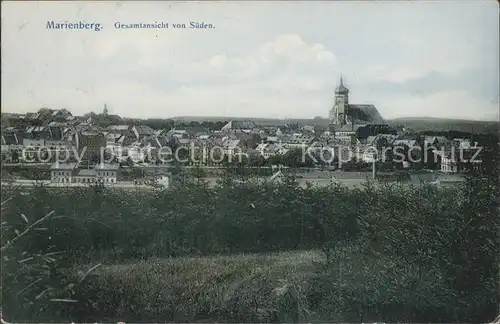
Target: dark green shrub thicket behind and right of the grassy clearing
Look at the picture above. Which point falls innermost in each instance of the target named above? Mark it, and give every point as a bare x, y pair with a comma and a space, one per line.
394, 253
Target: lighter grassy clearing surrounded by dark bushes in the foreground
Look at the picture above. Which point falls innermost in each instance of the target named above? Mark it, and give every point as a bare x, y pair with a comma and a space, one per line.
249, 288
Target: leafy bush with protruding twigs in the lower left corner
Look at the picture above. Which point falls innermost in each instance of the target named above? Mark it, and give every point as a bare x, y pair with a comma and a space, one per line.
33, 282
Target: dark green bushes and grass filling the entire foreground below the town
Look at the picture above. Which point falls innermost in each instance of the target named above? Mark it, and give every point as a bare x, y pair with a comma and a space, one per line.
383, 253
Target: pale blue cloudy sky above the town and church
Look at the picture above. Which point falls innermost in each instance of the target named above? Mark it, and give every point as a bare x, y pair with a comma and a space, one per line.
263, 59
